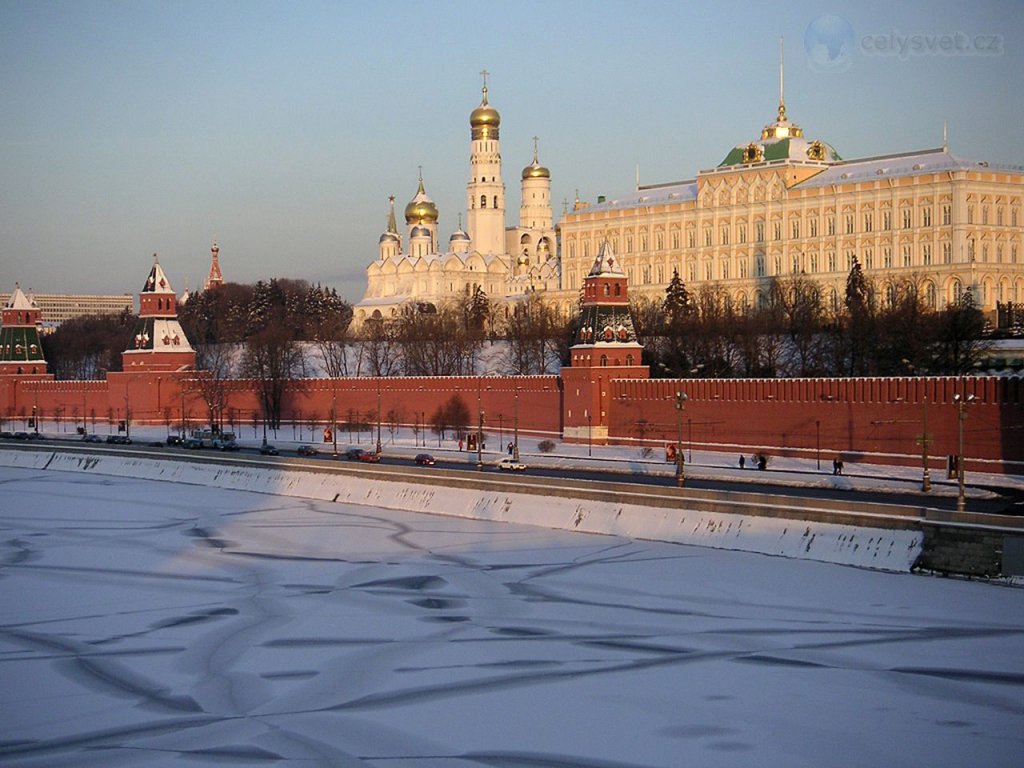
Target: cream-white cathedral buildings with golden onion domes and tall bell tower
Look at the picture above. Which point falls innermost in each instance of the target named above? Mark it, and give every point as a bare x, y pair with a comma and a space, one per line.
507, 264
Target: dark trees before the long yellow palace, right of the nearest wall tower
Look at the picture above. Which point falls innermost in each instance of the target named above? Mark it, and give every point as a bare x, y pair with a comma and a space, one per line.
797, 333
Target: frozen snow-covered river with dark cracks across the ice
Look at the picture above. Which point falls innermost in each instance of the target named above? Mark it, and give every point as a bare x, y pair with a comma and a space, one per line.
149, 624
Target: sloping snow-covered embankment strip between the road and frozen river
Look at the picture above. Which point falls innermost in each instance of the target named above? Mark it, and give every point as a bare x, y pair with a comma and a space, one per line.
847, 545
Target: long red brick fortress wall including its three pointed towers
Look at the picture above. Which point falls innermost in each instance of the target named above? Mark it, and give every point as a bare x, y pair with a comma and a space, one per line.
604, 397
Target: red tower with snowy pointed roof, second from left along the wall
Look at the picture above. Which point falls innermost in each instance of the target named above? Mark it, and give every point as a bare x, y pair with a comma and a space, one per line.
159, 344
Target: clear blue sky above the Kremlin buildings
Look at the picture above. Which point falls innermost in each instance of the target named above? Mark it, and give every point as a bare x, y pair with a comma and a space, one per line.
280, 129
